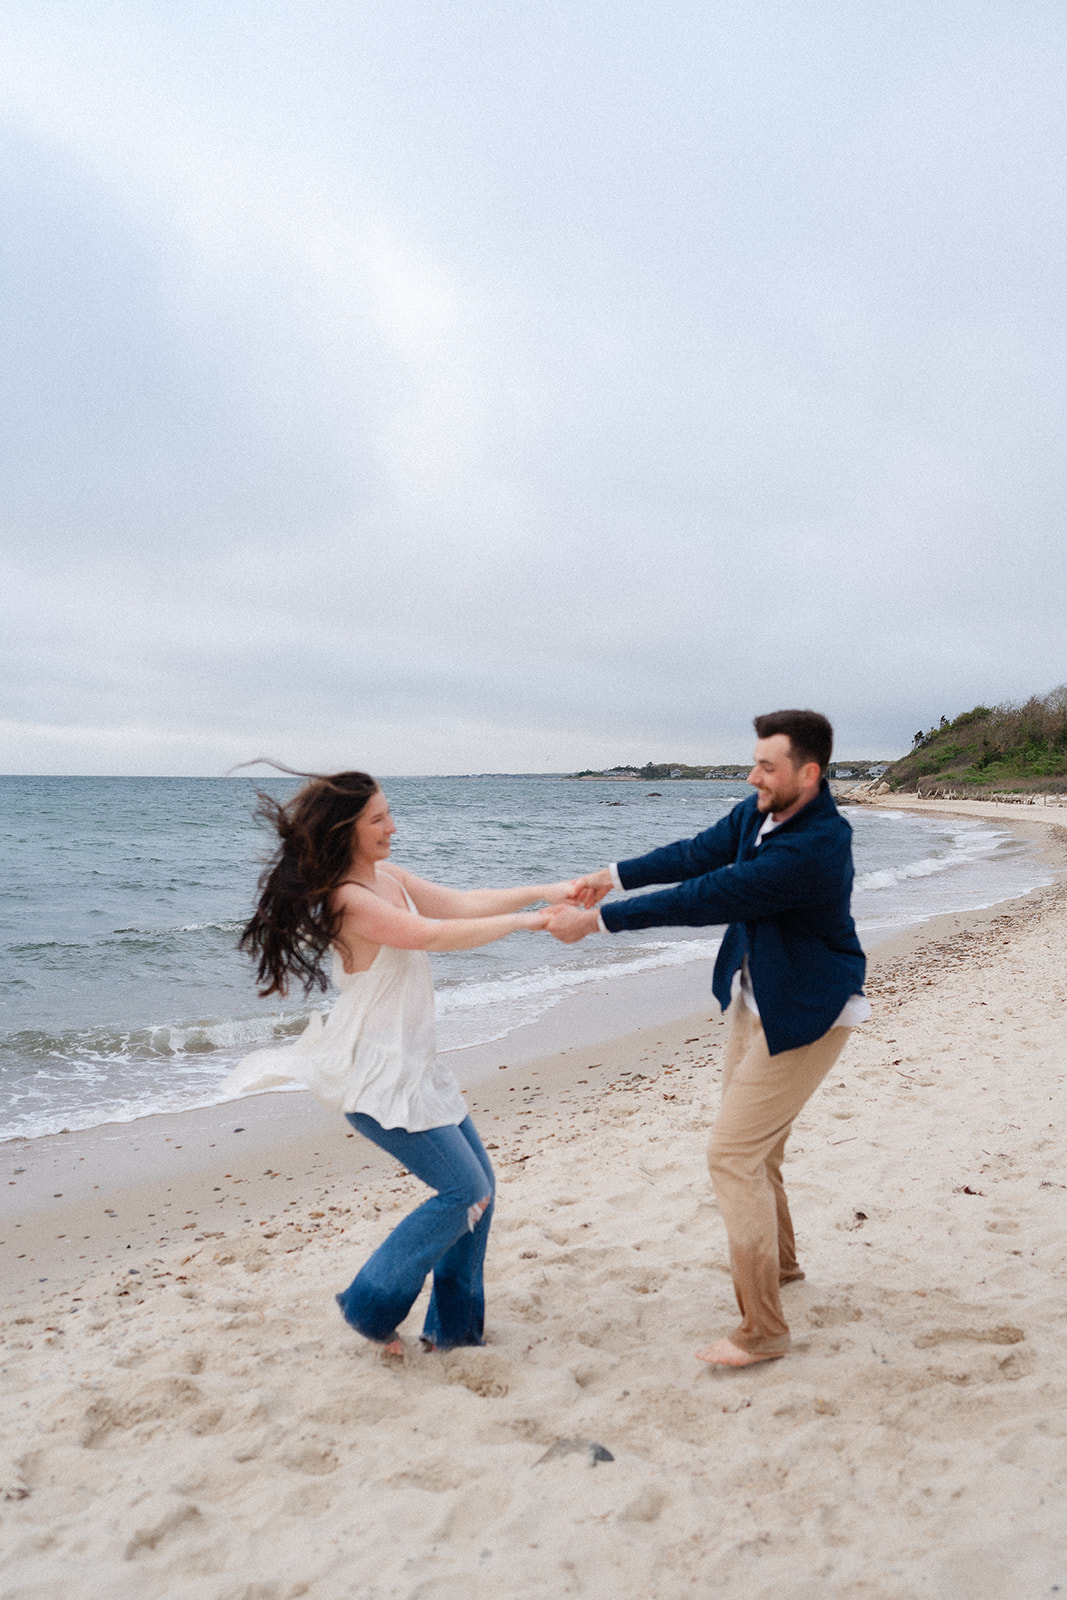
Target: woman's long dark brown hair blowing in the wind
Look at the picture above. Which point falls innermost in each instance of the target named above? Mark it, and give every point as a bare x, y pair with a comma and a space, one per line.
294, 927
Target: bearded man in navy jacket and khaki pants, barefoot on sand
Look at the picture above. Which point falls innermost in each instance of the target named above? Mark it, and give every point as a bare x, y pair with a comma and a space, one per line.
789, 974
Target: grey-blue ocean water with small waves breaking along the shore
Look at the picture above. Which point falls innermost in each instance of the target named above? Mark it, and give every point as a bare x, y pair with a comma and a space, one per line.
122, 991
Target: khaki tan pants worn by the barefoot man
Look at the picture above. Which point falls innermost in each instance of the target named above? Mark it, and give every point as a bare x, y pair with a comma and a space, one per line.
762, 1095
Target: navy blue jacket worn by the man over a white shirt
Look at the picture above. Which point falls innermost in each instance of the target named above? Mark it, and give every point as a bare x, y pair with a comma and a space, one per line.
786, 902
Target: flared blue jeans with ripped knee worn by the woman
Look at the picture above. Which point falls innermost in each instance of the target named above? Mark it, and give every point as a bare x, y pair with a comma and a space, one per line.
446, 1236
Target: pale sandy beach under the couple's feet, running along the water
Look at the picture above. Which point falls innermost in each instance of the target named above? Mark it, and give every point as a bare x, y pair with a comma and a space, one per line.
186, 1415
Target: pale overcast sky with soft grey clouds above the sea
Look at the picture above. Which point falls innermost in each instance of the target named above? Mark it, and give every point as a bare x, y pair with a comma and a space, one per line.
519, 385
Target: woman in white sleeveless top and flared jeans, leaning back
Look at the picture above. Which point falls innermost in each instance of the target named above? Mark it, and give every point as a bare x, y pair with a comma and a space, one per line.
375, 1057
